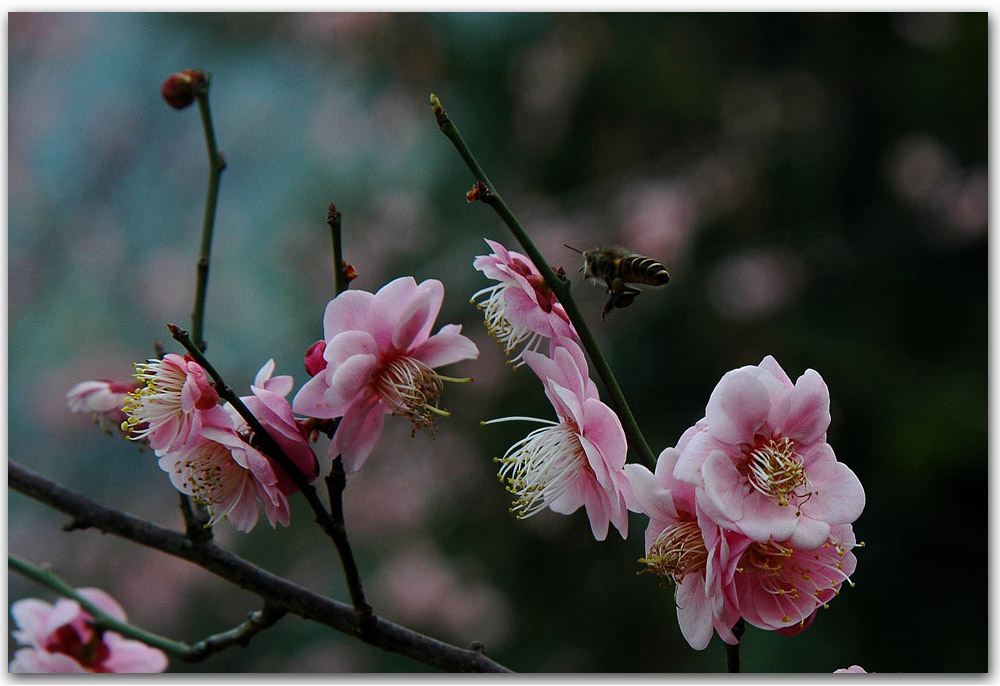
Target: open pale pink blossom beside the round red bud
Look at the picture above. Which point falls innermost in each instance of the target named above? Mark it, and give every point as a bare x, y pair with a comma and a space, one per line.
380, 360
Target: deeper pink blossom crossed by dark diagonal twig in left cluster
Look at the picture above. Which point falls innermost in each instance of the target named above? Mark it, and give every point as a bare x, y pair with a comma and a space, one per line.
269, 406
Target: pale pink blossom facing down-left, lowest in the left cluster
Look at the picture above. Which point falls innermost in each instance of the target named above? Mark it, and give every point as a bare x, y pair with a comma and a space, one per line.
217, 467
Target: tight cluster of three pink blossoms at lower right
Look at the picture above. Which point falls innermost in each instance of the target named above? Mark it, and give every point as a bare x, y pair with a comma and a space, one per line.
750, 514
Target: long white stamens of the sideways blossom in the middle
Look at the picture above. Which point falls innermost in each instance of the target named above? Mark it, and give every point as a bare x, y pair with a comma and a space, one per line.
541, 467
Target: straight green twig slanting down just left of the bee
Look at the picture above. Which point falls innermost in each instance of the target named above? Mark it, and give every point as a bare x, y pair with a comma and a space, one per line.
559, 286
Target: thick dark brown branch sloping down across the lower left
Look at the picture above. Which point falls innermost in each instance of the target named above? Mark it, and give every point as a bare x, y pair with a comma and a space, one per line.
277, 591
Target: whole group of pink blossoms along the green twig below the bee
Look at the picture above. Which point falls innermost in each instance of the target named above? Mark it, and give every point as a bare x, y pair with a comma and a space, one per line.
749, 515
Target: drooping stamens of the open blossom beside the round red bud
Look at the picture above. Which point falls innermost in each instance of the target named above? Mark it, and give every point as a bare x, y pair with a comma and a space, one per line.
413, 389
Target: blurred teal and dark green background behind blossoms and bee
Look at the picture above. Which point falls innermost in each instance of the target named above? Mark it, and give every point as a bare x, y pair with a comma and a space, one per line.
816, 184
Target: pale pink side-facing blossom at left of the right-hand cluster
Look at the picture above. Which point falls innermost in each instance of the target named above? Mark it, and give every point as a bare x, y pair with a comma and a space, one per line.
688, 549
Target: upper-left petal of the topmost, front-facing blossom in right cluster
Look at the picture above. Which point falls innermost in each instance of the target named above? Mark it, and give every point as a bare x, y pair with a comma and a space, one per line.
738, 407
